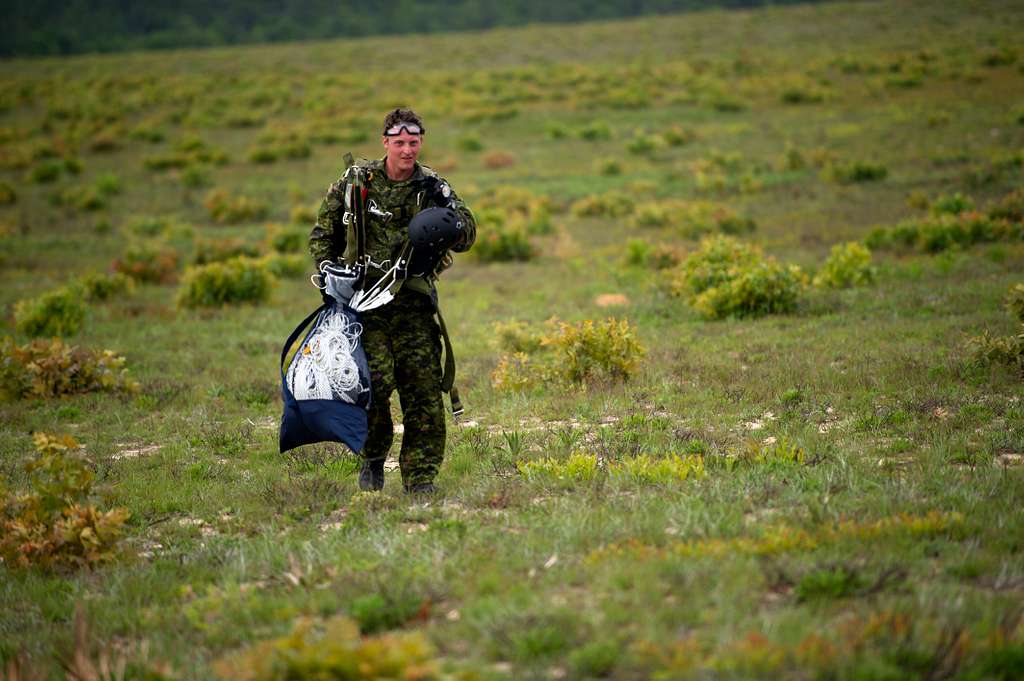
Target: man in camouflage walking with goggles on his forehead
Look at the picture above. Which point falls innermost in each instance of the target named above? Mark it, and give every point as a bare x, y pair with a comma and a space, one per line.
403, 339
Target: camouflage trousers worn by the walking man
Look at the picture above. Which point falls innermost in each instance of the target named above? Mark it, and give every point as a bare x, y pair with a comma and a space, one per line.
403, 346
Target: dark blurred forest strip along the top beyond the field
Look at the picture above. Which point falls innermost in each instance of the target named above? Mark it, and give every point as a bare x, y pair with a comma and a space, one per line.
71, 27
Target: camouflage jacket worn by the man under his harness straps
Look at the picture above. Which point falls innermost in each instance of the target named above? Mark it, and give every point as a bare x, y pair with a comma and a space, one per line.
383, 237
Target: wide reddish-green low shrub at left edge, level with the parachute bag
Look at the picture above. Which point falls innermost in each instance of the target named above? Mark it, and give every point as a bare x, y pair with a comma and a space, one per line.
51, 369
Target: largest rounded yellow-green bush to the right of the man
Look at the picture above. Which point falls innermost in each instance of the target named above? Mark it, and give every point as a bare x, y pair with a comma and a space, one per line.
727, 278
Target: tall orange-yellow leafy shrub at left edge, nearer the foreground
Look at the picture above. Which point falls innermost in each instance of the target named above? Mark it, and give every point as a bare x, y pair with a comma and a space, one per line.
57, 525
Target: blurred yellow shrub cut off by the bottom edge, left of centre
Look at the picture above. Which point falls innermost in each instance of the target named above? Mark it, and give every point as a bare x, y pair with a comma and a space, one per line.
334, 650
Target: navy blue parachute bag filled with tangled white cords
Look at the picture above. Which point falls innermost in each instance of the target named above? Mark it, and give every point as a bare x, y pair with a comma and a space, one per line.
326, 388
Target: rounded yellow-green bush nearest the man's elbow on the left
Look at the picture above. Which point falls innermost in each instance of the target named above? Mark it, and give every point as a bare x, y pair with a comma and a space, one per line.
236, 281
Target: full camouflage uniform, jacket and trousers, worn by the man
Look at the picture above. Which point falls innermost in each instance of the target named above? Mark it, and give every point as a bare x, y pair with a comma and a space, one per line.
402, 339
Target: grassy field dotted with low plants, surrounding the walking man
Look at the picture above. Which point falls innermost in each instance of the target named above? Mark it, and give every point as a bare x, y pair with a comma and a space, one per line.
831, 492
